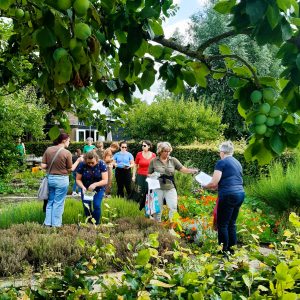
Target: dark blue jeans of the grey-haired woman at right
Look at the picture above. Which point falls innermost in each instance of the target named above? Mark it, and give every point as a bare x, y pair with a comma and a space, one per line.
227, 213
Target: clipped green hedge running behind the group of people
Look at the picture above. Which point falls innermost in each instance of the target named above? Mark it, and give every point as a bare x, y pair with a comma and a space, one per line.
203, 156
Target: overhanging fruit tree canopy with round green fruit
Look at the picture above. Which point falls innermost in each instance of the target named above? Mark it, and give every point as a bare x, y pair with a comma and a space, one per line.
107, 46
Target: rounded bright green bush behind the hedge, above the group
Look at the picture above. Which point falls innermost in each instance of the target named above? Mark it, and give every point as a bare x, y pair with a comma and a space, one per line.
179, 122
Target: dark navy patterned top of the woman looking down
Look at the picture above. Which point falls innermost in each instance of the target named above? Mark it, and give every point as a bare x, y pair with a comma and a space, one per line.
92, 174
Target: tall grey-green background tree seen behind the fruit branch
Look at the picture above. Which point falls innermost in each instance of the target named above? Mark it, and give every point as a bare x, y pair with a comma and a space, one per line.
207, 24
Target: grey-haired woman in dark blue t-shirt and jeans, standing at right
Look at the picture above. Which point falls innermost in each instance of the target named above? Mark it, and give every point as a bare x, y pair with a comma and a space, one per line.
228, 179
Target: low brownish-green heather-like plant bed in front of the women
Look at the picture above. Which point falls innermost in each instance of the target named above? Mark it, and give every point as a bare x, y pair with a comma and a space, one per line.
30, 246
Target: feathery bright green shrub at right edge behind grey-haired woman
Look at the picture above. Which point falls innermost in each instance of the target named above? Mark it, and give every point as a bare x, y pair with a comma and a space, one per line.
281, 189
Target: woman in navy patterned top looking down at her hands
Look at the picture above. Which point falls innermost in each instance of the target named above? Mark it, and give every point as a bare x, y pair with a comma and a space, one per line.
92, 176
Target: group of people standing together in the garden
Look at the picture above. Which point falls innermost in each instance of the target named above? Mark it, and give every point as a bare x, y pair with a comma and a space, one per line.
94, 170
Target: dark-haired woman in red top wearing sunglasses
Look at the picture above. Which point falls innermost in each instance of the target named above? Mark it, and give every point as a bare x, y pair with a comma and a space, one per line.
140, 170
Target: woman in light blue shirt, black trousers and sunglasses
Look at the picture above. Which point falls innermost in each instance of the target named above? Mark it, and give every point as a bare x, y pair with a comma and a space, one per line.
123, 161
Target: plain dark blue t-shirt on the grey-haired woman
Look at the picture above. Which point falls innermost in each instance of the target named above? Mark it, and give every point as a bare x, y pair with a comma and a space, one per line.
231, 181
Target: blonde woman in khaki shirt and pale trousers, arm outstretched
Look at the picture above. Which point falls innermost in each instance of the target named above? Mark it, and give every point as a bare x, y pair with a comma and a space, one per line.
166, 165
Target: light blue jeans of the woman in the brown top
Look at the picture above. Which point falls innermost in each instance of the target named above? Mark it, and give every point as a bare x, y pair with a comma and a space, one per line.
58, 188
